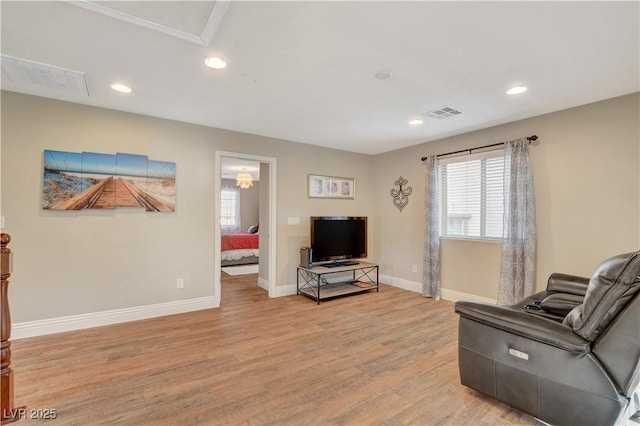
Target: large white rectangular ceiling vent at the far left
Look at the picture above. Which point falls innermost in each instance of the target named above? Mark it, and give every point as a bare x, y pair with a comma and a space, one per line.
18, 69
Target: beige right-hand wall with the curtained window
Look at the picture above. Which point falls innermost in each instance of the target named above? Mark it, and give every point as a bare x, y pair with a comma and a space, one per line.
587, 185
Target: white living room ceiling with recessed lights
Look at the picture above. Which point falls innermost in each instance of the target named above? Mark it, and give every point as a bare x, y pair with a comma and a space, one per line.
304, 71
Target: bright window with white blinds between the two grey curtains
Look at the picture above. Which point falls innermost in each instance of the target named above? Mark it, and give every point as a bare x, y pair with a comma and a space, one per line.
471, 191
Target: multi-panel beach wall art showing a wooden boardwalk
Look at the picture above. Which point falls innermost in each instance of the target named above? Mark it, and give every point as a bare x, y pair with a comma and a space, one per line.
89, 180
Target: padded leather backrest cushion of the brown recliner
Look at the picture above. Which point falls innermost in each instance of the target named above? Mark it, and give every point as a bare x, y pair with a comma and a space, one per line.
613, 284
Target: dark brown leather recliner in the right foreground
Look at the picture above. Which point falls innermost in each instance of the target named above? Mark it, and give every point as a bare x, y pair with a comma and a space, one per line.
569, 355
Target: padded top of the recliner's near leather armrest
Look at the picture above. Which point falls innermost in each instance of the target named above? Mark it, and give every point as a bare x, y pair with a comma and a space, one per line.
525, 324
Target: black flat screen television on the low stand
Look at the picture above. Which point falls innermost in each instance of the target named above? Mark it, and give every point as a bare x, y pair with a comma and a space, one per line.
335, 239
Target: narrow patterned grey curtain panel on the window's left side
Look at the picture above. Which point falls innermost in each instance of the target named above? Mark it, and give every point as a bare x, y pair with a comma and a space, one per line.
431, 252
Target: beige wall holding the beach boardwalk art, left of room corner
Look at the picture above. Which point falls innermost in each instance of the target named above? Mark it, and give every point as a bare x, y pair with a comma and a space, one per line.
68, 263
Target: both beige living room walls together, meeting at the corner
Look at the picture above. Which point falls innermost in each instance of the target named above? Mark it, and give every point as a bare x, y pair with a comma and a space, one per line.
65, 263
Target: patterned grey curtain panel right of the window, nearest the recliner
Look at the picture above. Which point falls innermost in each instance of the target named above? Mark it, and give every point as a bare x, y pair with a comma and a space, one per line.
519, 242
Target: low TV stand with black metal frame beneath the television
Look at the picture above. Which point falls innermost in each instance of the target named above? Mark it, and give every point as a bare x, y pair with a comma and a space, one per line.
313, 282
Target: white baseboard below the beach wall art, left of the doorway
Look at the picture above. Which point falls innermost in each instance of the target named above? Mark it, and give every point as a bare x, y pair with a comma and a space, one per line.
96, 319
